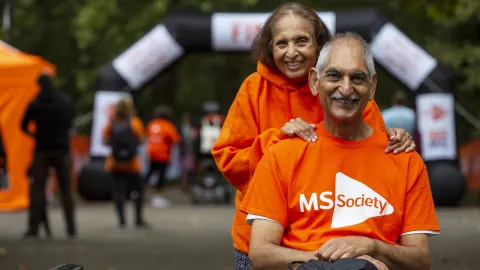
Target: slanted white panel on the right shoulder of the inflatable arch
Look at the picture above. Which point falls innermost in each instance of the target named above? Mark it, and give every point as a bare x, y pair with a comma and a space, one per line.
401, 56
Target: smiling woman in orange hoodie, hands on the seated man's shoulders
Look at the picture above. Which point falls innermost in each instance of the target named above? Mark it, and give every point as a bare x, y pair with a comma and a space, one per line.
275, 103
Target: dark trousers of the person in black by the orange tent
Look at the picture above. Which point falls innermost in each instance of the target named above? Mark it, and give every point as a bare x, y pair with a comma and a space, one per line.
60, 162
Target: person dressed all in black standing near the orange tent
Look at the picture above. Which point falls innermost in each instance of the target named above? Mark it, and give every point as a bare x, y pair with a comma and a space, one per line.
53, 115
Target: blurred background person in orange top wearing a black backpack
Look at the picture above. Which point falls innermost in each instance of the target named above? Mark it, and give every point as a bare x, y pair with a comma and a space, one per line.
125, 174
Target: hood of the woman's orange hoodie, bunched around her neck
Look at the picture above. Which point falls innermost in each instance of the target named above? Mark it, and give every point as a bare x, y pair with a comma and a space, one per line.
279, 80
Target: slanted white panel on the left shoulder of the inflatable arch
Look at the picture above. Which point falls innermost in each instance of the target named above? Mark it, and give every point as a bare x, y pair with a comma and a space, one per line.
147, 57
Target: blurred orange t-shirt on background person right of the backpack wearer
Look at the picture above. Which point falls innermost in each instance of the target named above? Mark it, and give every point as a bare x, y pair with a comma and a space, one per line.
161, 135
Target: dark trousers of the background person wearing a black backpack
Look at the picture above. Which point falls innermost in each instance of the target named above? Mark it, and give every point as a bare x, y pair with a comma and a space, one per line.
123, 183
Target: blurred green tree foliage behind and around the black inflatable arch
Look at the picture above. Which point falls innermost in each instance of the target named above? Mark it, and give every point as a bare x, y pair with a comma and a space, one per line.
79, 36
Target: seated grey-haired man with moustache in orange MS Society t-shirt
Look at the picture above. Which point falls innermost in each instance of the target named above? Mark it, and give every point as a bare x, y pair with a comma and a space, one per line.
341, 197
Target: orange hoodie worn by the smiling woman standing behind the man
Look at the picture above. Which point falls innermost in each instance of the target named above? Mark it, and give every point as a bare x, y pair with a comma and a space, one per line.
264, 103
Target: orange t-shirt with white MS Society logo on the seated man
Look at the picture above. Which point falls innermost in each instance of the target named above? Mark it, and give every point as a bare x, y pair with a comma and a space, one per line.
336, 188
